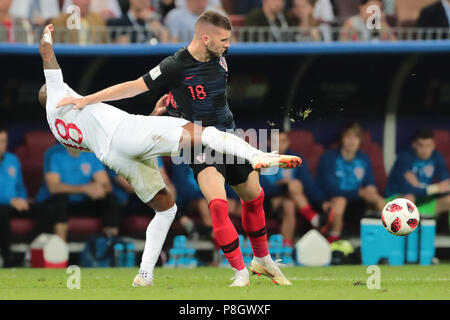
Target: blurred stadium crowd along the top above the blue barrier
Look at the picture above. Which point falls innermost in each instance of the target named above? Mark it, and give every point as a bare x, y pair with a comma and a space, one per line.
154, 21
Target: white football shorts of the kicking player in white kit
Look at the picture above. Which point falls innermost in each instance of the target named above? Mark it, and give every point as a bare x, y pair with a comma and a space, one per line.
134, 148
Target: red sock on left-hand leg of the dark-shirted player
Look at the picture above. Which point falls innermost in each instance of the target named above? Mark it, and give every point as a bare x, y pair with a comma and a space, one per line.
225, 233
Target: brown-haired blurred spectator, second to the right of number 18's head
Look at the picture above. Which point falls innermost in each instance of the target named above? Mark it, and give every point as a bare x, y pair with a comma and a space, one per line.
302, 17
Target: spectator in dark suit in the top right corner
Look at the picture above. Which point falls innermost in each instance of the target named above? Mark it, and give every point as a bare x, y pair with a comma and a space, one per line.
436, 15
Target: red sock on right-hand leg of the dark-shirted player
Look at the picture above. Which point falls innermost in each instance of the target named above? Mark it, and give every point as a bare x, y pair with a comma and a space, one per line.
254, 224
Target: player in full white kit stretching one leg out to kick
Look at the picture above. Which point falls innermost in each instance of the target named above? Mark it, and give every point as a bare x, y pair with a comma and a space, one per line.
129, 144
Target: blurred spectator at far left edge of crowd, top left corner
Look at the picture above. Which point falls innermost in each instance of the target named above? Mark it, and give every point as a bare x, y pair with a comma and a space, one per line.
13, 29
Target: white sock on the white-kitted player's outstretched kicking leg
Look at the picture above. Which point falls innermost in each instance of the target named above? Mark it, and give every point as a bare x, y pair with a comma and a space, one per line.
228, 143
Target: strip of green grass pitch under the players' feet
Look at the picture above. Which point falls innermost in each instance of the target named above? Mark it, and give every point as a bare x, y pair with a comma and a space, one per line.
211, 283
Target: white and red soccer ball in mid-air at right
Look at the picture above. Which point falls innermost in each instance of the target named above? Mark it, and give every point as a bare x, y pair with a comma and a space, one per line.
400, 217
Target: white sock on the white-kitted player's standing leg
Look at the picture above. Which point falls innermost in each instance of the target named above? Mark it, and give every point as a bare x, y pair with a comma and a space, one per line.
155, 236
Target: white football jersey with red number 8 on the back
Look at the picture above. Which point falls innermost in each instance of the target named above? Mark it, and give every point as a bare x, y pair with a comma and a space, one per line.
89, 129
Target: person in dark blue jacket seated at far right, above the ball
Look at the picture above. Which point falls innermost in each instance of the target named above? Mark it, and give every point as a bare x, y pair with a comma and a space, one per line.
420, 175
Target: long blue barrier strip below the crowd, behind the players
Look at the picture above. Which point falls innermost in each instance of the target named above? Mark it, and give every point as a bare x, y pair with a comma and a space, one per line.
242, 49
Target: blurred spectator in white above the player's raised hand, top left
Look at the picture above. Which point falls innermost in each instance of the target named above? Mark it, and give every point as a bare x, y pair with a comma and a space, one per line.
37, 12
